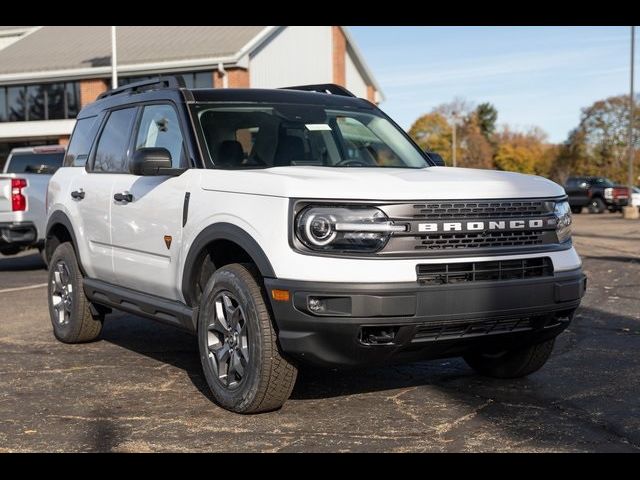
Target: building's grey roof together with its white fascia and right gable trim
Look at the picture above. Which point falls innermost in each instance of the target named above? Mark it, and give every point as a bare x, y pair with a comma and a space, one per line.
62, 52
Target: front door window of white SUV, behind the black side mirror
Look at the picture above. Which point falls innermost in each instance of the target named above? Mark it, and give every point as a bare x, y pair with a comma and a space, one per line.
159, 127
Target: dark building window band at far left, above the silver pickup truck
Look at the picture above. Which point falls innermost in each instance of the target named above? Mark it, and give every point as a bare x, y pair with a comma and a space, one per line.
48, 101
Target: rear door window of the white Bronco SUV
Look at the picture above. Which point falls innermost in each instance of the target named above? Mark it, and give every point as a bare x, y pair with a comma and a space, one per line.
111, 152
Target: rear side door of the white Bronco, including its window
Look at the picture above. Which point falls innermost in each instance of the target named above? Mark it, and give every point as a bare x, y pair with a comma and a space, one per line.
92, 192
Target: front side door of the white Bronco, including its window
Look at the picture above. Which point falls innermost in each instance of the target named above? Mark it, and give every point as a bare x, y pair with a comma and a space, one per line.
146, 230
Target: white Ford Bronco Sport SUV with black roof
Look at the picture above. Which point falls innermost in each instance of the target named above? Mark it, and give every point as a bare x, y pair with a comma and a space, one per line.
300, 226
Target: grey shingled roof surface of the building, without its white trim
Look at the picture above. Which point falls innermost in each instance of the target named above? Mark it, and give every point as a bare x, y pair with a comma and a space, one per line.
83, 47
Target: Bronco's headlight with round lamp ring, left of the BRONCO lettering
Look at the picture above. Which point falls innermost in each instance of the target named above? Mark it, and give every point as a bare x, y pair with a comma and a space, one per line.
357, 229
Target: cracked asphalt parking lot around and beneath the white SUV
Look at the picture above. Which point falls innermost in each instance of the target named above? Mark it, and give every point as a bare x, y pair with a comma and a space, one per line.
140, 387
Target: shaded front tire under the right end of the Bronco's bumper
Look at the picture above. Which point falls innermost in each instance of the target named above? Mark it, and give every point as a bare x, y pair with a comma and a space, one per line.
512, 363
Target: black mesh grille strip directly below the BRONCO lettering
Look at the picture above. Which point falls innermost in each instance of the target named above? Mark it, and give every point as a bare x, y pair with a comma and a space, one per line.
451, 241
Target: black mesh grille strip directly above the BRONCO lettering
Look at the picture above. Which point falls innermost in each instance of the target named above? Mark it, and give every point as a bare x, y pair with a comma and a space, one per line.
482, 209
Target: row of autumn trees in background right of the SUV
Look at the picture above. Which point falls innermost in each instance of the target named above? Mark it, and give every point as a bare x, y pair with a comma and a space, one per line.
597, 146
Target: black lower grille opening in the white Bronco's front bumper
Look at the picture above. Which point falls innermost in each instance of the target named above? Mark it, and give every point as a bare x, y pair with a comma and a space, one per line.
445, 273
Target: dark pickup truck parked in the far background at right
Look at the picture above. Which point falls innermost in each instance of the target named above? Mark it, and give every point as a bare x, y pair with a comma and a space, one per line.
596, 193
